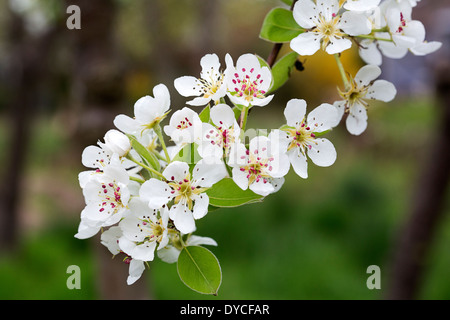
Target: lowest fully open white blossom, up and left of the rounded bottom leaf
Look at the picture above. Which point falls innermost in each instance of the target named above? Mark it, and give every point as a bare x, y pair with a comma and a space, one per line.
143, 230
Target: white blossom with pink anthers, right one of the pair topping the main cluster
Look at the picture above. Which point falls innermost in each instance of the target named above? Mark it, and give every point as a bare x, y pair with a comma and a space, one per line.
248, 82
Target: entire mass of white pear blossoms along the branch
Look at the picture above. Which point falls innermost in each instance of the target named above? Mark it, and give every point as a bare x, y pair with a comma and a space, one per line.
145, 197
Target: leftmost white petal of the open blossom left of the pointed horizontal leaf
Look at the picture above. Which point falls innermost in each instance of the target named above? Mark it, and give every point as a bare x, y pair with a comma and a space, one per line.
156, 192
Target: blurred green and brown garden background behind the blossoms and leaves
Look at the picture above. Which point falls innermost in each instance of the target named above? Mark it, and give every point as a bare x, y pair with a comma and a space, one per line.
384, 202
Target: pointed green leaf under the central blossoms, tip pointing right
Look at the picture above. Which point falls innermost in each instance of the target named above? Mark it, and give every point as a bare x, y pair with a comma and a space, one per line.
226, 194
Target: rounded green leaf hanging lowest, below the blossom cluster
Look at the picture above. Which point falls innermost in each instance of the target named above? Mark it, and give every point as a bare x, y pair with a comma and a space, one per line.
199, 269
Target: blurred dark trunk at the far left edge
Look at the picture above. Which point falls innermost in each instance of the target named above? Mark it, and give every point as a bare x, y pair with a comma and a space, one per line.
29, 60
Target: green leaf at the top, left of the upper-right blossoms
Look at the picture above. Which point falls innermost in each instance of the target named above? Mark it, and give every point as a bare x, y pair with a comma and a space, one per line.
280, 26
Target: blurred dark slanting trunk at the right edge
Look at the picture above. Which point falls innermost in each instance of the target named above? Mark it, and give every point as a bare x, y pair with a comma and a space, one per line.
410, 260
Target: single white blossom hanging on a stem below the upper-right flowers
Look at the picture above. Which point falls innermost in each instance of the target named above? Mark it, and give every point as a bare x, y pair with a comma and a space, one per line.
363, 88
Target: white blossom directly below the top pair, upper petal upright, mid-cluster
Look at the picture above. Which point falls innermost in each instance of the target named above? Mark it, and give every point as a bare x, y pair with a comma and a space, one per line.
218, 139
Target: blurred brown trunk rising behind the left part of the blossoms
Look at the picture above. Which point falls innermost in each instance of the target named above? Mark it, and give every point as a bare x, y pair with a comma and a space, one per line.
97, 95
